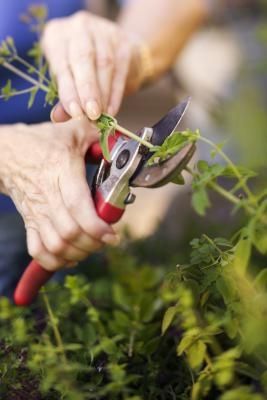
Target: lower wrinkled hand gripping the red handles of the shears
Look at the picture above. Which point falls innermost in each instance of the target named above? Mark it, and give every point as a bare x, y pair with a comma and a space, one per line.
44, 173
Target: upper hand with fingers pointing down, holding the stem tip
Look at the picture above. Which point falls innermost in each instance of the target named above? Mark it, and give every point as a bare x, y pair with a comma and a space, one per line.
94, 62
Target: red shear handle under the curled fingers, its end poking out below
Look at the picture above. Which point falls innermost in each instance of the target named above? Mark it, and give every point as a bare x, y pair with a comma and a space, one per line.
35, 276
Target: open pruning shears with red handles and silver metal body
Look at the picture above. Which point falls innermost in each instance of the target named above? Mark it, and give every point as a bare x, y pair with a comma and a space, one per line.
113, 181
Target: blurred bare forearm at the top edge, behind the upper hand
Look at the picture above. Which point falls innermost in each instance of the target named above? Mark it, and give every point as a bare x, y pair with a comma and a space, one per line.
164, 25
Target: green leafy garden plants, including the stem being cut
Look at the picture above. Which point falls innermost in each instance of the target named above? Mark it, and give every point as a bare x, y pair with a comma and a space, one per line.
135, 325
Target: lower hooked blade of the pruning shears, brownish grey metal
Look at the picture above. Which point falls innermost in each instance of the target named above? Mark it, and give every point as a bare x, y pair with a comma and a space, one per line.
159, 175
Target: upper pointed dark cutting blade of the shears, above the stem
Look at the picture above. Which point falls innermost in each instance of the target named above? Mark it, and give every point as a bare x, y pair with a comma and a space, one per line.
168, 124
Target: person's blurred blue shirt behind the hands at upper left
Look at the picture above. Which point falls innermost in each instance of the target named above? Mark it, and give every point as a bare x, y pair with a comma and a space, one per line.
16, 108
